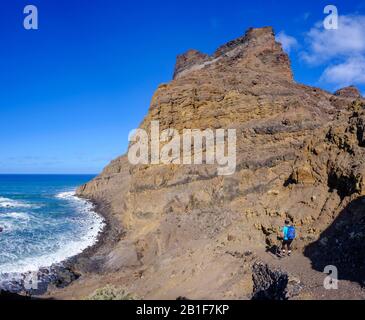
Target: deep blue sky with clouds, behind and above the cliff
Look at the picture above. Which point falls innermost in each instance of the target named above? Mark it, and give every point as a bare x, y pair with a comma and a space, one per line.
72, 90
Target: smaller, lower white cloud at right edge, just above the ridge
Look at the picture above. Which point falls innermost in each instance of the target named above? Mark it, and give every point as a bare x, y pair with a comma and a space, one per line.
351, 71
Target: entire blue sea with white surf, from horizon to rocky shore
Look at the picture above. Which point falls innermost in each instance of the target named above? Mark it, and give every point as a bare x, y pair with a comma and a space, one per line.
44, 223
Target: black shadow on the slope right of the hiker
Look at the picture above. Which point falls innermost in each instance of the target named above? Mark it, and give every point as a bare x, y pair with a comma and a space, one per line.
342, 244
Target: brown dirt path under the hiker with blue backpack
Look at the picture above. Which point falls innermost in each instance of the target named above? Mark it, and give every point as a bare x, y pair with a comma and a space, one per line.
300, 267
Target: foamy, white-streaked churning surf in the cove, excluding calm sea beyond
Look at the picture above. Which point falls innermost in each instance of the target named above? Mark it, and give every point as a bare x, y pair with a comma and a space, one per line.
38, 237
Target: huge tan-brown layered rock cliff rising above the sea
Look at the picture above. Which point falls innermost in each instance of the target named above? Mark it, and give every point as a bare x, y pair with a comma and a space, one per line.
300, 154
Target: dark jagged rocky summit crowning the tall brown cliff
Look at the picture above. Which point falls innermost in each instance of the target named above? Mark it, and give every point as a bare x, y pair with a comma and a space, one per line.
256, 49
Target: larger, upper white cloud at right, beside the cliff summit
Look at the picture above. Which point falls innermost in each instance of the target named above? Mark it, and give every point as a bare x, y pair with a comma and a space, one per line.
344, 42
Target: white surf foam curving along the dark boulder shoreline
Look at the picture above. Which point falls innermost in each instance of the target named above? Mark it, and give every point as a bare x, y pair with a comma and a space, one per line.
67, 248
